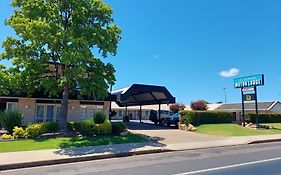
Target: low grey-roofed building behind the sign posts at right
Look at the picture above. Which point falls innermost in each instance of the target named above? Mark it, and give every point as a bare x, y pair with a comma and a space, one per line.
263, 107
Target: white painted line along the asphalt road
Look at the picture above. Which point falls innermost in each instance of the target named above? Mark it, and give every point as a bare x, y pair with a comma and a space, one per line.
230, 166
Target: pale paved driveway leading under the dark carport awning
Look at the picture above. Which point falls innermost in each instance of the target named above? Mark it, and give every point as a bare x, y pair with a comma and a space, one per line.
169, 135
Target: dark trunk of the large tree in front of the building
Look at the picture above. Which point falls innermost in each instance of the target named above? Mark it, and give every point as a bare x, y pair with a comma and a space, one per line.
64, 109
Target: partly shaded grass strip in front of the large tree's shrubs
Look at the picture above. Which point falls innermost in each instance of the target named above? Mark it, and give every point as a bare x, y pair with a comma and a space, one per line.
67, 142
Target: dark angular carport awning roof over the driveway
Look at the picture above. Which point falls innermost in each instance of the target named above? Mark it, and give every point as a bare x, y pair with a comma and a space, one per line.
139, 94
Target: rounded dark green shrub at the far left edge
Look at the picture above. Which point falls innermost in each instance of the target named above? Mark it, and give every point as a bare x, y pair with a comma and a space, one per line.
10, 119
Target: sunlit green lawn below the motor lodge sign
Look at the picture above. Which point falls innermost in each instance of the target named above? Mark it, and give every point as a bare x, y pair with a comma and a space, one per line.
236, 130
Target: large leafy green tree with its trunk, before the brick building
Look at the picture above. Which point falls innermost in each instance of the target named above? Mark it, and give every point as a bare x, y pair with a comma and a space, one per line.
57, 48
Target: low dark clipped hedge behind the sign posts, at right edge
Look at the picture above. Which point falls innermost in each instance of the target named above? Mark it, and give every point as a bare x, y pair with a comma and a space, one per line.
263, 118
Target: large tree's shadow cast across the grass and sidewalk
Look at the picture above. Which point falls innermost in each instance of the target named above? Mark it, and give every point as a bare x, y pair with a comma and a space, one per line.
104, 144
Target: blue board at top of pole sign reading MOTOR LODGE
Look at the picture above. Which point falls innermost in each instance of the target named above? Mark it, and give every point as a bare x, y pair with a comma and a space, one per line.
251, 81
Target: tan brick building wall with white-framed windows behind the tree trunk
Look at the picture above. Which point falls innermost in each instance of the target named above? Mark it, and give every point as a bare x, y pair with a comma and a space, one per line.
39, 109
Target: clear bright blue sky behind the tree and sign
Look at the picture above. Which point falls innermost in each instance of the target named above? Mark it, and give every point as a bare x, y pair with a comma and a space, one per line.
186, 44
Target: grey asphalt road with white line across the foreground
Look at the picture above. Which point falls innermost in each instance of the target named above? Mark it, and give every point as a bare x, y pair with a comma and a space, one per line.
256, 159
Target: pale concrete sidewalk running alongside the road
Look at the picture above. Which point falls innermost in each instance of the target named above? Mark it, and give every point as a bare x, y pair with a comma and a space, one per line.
23, 159
